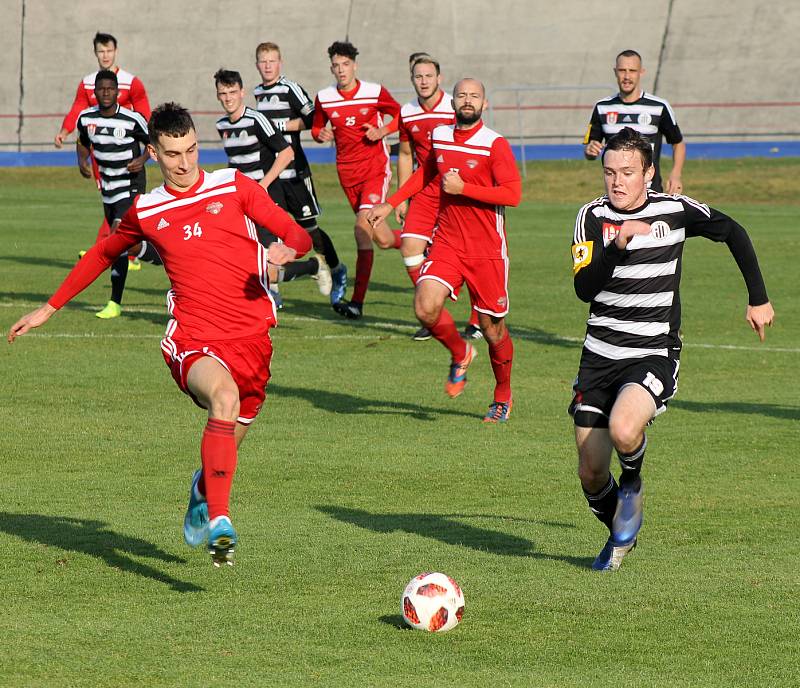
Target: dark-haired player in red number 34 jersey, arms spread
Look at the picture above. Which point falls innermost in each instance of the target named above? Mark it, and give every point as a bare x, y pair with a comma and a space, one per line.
217, 343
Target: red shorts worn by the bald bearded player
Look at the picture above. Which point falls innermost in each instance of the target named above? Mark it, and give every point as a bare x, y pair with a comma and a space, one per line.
486, 278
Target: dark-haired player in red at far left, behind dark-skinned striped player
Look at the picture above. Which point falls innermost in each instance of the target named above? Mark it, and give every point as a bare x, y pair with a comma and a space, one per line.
132, 95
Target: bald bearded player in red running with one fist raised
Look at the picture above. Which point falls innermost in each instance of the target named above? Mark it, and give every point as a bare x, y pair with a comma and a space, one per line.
479, 177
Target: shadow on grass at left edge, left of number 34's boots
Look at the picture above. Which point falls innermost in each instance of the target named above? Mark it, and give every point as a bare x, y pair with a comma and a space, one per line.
97, 540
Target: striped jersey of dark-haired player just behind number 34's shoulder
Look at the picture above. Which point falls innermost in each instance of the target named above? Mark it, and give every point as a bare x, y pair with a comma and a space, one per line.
251, 143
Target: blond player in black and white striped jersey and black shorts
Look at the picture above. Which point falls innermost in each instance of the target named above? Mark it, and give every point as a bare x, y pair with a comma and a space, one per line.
289, 108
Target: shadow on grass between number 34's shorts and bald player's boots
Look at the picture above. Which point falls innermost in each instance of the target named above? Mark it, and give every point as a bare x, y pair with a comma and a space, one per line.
339, 402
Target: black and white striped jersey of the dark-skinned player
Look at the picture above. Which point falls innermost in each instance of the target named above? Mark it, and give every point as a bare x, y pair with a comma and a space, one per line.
114, 140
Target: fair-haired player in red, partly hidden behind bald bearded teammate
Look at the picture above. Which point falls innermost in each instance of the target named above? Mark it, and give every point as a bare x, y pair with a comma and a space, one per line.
432, 107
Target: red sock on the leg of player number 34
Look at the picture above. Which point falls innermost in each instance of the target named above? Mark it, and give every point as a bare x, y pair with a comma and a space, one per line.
218, 456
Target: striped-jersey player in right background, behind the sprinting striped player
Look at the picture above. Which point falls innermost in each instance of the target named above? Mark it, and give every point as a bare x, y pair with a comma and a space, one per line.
643, 112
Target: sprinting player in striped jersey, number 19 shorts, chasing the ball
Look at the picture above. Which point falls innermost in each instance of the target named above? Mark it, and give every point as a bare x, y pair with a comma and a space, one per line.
627, 252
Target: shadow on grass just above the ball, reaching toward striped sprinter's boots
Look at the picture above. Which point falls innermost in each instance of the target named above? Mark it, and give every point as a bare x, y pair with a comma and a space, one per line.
444, 528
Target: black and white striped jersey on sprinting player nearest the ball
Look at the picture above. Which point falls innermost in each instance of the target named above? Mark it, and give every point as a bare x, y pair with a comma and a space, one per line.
634, 295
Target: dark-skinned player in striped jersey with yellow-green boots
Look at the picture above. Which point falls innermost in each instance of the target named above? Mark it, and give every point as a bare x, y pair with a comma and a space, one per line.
117, 137
